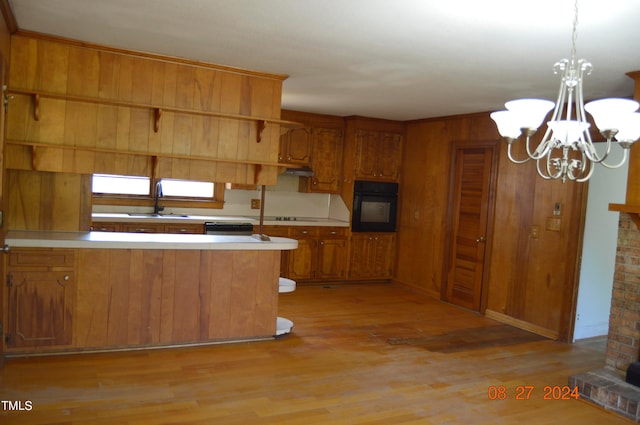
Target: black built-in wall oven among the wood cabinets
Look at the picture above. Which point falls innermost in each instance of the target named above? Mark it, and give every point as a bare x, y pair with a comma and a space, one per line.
375, 206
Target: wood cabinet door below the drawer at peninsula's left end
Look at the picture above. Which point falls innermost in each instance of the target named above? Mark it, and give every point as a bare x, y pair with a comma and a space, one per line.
40, 308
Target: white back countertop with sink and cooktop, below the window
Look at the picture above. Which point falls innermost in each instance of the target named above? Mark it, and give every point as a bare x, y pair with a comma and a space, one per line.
197, 219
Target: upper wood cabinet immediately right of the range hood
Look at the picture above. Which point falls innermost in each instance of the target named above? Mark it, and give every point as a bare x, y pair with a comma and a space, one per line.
326, 162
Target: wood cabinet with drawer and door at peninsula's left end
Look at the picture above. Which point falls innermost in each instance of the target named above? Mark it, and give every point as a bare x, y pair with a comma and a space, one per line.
41, 288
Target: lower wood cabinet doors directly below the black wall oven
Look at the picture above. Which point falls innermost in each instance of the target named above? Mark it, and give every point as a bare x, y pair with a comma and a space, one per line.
372, 256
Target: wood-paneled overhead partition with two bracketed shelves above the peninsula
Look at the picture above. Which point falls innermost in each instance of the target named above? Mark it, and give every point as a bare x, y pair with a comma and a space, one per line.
67, 133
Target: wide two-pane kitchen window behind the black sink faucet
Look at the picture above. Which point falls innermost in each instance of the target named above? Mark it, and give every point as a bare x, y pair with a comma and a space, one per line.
109, 189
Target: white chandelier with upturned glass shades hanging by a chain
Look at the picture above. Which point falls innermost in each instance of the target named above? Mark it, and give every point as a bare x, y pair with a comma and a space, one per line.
566, 150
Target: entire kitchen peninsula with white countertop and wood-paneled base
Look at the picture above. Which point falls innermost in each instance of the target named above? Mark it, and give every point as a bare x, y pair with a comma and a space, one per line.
100, 291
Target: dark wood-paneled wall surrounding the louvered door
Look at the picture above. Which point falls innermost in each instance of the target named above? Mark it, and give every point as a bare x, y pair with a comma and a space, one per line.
531, 280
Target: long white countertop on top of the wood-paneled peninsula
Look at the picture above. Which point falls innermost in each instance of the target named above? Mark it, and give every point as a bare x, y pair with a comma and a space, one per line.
117, 240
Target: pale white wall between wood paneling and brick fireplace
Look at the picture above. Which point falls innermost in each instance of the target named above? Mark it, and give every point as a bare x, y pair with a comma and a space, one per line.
599, 252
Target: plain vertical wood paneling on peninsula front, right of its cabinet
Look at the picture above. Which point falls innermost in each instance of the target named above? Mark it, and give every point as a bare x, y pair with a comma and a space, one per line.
157, 297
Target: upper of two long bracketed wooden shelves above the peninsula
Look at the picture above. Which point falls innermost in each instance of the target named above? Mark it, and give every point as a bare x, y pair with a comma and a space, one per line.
156, 110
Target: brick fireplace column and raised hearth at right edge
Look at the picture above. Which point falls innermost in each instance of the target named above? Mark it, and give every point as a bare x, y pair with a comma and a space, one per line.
606, 387
